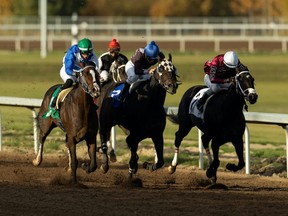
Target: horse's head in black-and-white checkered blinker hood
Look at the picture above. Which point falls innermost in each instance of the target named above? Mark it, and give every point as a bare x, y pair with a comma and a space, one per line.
166, 74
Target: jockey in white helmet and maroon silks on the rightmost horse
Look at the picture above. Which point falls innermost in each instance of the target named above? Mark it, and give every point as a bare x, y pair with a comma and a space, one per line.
219, 72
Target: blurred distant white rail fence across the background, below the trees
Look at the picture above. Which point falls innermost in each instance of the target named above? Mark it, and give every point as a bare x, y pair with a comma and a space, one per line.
183, 34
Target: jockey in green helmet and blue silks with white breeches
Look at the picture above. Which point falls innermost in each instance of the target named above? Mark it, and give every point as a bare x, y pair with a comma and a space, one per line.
73, 59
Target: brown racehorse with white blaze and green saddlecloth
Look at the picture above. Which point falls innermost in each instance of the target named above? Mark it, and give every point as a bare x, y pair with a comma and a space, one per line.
78, 118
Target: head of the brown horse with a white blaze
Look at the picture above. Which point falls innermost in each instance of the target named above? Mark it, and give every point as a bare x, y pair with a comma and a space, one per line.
89, 79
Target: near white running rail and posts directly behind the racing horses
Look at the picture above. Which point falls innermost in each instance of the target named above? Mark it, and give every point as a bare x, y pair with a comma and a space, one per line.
251, 117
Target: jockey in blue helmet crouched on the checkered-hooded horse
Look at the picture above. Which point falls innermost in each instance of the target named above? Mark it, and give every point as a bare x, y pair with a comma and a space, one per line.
138, 67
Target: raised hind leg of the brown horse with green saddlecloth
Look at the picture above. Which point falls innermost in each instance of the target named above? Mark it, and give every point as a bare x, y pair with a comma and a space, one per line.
45, 126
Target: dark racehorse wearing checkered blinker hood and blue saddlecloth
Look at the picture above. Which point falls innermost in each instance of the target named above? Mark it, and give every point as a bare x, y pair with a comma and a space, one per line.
142, 113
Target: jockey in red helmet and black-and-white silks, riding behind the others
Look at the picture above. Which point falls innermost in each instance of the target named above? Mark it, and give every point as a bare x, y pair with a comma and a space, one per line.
107, 58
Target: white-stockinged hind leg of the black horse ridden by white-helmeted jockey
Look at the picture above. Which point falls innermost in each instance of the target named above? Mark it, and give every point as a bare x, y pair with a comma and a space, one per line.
185, 125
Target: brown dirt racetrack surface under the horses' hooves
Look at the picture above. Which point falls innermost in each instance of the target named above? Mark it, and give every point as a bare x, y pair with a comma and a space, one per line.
45, 190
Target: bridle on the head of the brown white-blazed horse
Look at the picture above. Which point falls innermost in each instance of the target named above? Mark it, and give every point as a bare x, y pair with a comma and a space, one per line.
95, 92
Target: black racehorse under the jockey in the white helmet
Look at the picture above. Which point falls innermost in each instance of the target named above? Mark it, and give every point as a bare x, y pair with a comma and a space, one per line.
223, 121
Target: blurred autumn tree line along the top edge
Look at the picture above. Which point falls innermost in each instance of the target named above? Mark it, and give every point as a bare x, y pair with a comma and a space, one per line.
148, 8
